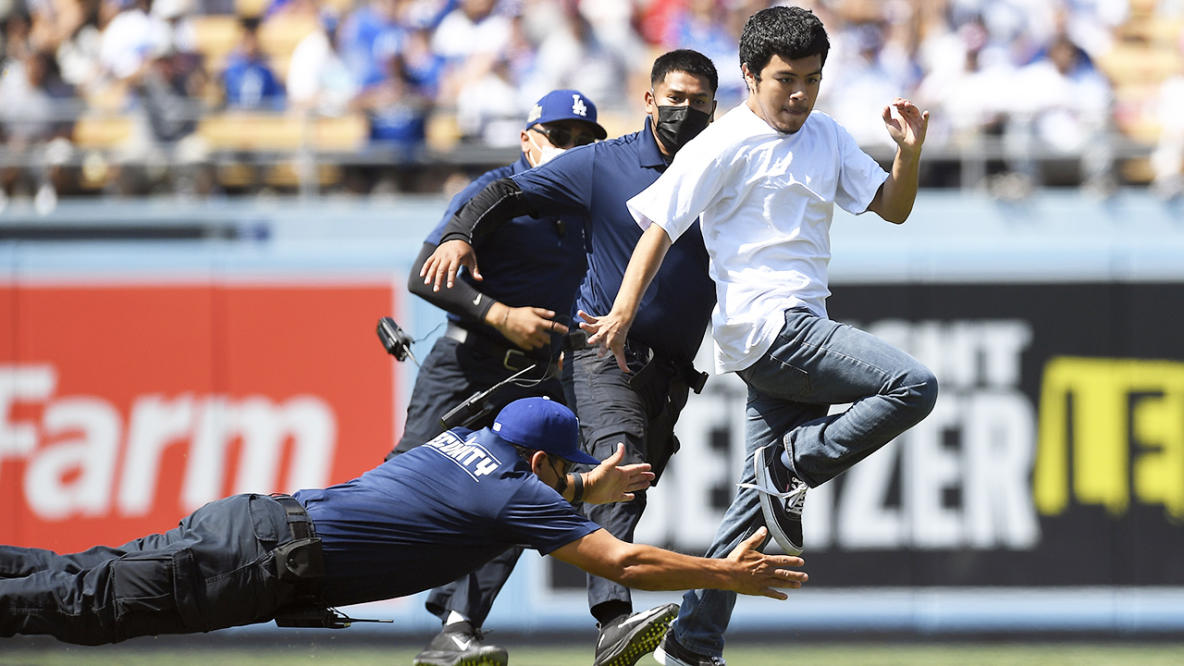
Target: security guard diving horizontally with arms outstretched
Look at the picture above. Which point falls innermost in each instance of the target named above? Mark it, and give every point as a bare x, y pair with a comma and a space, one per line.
416, 521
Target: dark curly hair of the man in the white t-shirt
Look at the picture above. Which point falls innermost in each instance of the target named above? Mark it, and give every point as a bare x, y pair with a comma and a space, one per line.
789, 33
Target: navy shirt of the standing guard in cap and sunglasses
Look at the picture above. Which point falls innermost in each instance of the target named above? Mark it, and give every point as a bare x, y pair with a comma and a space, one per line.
529, 261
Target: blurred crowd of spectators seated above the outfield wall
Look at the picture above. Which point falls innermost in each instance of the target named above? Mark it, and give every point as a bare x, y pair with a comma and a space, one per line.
1021, 80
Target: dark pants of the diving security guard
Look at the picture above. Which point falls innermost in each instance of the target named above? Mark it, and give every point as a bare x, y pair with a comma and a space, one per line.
214, 571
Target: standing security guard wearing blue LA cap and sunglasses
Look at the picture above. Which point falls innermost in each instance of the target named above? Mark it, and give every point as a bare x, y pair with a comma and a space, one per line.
514, 318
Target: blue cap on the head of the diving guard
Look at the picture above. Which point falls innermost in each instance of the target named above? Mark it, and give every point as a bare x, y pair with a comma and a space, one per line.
543, 425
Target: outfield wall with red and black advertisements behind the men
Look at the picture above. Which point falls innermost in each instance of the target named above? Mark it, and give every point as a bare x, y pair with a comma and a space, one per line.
1045, 492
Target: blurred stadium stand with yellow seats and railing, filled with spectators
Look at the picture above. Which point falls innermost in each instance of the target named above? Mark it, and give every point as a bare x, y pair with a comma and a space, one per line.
168, 111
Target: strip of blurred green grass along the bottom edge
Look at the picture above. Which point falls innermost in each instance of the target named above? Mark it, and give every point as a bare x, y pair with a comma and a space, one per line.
524, 655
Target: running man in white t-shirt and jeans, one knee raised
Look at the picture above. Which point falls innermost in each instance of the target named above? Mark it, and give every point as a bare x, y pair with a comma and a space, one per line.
764, 181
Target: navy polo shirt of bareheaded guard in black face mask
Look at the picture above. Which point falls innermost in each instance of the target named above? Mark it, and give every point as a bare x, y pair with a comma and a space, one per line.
597, 181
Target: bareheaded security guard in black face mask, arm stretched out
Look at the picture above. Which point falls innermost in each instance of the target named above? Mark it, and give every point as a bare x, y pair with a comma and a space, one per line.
639, 408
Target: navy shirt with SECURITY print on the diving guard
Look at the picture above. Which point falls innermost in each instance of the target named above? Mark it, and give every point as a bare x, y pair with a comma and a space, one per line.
433, 515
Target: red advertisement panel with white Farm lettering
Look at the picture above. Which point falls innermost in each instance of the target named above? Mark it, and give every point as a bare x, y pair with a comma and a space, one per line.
124, 408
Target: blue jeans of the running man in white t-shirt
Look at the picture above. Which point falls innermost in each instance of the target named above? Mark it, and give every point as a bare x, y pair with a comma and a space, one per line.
813, 364
